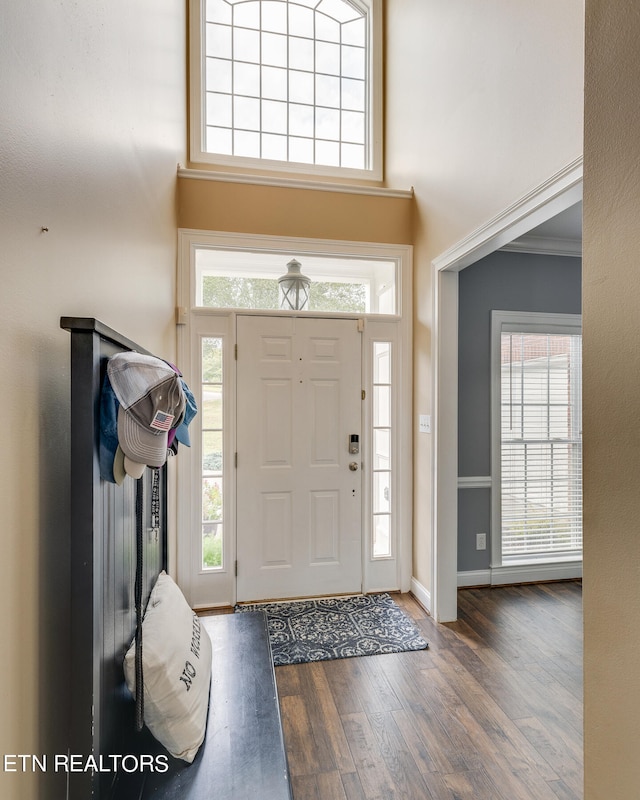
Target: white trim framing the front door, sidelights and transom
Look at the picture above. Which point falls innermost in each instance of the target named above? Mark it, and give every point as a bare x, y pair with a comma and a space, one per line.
379, 574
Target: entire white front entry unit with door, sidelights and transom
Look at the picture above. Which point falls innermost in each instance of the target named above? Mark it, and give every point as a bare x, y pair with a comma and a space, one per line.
259, 515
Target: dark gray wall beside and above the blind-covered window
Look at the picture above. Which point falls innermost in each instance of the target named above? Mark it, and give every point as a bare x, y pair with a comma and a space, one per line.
507, 282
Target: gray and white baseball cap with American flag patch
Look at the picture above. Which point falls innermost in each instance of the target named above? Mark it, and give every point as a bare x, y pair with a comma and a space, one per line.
152, 402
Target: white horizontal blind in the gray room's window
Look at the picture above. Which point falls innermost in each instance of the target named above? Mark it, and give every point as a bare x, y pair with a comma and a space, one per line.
541, 445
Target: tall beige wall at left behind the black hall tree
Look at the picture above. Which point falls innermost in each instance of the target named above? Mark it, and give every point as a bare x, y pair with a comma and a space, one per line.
91, 130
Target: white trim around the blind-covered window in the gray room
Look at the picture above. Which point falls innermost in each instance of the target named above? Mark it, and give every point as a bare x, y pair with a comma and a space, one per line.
534, 322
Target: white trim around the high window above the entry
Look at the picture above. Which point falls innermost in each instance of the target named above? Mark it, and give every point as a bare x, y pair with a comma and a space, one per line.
197, 154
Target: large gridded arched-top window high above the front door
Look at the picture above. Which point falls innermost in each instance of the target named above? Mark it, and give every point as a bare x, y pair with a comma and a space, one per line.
287, 84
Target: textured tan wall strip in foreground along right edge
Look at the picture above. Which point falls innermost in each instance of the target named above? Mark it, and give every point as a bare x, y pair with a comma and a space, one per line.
611, 319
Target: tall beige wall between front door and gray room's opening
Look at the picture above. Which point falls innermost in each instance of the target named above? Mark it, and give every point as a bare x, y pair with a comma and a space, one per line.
483, 104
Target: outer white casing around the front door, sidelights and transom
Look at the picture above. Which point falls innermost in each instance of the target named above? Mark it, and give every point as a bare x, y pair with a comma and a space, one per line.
189, 317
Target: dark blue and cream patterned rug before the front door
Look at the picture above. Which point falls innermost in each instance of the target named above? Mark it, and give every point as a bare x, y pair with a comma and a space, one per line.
337, 627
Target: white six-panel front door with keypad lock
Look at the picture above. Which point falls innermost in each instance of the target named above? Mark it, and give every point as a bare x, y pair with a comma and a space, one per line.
298, 486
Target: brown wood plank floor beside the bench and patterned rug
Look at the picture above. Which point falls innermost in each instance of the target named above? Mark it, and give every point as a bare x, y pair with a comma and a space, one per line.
492, 711
